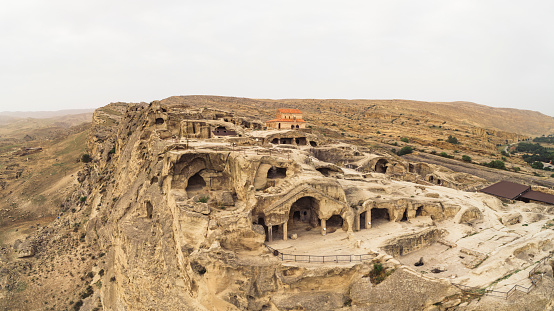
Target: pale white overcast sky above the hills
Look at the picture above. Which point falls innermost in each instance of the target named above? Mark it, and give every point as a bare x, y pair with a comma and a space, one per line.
85, 54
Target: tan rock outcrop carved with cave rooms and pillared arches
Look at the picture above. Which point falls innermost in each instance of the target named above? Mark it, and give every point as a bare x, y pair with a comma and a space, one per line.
178, 217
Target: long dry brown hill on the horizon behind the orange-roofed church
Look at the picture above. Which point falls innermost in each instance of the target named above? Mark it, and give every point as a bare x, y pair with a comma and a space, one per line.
389, 114
